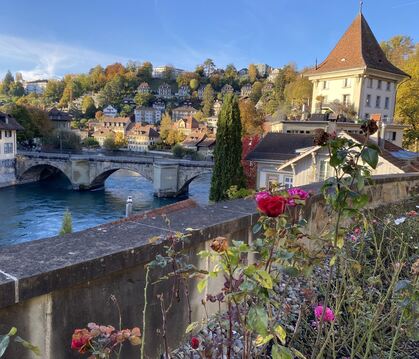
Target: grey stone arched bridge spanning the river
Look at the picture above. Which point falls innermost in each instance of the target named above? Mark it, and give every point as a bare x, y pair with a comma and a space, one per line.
170, 177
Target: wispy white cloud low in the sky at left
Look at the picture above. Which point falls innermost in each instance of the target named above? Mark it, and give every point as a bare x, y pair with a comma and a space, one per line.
36, 59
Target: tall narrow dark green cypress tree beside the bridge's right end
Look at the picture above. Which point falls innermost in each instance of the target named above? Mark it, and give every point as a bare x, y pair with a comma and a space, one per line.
228, 170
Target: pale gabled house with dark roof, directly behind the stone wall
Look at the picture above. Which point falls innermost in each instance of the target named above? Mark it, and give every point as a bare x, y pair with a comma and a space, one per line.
291, 160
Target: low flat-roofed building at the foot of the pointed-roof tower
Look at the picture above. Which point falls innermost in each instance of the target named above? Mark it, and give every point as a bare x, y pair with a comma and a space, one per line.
392, 132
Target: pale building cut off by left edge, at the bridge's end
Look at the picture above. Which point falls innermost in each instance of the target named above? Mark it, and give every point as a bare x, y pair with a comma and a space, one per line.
8, 146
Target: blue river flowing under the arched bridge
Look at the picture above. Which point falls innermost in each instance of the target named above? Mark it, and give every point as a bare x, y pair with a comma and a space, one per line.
35, 210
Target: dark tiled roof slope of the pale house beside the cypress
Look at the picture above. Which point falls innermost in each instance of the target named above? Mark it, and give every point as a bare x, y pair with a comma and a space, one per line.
280, 146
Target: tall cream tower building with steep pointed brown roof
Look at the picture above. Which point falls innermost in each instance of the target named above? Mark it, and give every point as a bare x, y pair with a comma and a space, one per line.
357, 73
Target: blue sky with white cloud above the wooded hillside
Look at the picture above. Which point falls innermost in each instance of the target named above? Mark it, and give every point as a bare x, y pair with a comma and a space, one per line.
48, 38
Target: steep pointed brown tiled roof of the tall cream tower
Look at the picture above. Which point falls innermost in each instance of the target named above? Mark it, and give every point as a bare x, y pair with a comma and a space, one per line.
357, 48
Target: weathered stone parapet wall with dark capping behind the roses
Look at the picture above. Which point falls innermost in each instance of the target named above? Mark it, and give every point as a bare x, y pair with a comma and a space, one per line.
50, 287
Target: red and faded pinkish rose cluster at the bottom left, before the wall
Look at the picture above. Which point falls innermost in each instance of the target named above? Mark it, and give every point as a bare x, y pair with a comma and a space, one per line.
103, 339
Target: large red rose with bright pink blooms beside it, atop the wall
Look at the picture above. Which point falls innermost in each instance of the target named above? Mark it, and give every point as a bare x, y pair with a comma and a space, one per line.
275, 205
